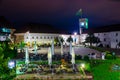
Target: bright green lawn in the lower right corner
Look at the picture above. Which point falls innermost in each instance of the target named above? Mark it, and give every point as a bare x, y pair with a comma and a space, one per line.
102, 69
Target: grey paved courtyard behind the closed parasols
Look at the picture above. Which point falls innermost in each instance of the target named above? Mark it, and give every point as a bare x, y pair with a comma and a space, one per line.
78, 50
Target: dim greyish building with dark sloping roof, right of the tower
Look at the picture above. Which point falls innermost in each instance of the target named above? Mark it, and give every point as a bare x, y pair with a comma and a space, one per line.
109, 35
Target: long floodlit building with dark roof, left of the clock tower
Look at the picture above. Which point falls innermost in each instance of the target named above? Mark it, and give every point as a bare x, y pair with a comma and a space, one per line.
42, 34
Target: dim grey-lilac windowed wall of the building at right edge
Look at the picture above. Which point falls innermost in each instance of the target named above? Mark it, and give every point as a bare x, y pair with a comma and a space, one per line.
109, 39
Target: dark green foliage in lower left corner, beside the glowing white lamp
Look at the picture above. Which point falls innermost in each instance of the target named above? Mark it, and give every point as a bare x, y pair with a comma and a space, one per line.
5, 72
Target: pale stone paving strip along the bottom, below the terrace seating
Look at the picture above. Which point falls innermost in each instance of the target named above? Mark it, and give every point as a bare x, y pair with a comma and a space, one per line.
53, 77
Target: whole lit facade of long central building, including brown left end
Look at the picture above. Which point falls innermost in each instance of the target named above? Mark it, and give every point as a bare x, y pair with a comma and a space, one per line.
43, 38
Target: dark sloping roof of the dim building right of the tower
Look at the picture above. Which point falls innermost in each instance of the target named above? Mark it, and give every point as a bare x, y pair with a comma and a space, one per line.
108, 28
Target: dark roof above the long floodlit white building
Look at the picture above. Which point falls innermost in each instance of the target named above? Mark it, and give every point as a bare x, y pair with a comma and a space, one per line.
39, 28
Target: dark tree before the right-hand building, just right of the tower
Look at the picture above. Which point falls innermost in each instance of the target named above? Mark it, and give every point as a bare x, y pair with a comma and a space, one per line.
92, 39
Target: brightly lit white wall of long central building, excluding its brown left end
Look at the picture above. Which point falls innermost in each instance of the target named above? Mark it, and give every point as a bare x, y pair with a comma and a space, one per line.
47, 37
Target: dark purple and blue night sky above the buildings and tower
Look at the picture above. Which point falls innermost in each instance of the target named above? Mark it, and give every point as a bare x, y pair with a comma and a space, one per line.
61, 13
